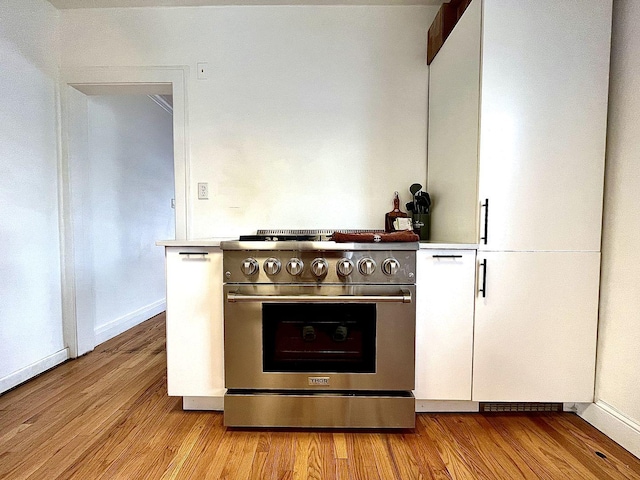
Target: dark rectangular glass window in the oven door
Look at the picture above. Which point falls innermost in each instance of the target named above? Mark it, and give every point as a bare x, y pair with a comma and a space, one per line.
312, 337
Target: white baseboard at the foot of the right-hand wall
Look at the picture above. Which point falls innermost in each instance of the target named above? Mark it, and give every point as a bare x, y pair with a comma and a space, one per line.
613, 424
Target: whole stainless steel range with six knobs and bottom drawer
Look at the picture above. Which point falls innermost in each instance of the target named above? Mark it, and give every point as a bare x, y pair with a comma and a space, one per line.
318, 333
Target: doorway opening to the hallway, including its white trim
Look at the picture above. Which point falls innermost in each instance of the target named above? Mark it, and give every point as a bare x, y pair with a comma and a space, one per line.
123, 188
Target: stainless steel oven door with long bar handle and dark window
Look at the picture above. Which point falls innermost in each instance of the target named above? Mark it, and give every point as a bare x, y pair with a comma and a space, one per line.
327, 337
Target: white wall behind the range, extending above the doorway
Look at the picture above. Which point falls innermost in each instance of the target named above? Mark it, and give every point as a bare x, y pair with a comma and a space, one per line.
311, 117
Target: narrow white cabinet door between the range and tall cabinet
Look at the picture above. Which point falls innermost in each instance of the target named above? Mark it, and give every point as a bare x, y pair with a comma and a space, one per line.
445, 282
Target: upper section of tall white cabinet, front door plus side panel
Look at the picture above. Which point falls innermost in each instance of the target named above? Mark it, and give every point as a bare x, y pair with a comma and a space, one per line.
517, 115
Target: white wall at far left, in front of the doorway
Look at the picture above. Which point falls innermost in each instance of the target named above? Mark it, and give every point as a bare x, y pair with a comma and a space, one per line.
30, 295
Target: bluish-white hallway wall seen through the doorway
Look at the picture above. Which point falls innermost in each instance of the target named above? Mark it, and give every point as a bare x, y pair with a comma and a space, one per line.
122, 203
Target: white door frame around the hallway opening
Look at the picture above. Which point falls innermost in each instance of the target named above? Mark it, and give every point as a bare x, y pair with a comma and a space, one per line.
78, 333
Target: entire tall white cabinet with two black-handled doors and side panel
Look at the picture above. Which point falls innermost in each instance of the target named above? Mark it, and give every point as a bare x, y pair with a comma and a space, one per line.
517, 121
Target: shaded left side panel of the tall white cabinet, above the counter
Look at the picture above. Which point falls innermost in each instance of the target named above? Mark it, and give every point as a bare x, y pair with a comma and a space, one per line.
454, 90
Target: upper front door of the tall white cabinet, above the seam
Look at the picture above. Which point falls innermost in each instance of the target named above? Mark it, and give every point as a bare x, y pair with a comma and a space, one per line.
545, 77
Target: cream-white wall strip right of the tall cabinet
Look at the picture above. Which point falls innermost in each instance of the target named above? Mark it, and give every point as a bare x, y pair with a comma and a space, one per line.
618, 371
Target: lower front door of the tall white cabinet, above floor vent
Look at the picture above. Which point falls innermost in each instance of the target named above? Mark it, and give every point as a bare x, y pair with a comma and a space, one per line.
535, 328
